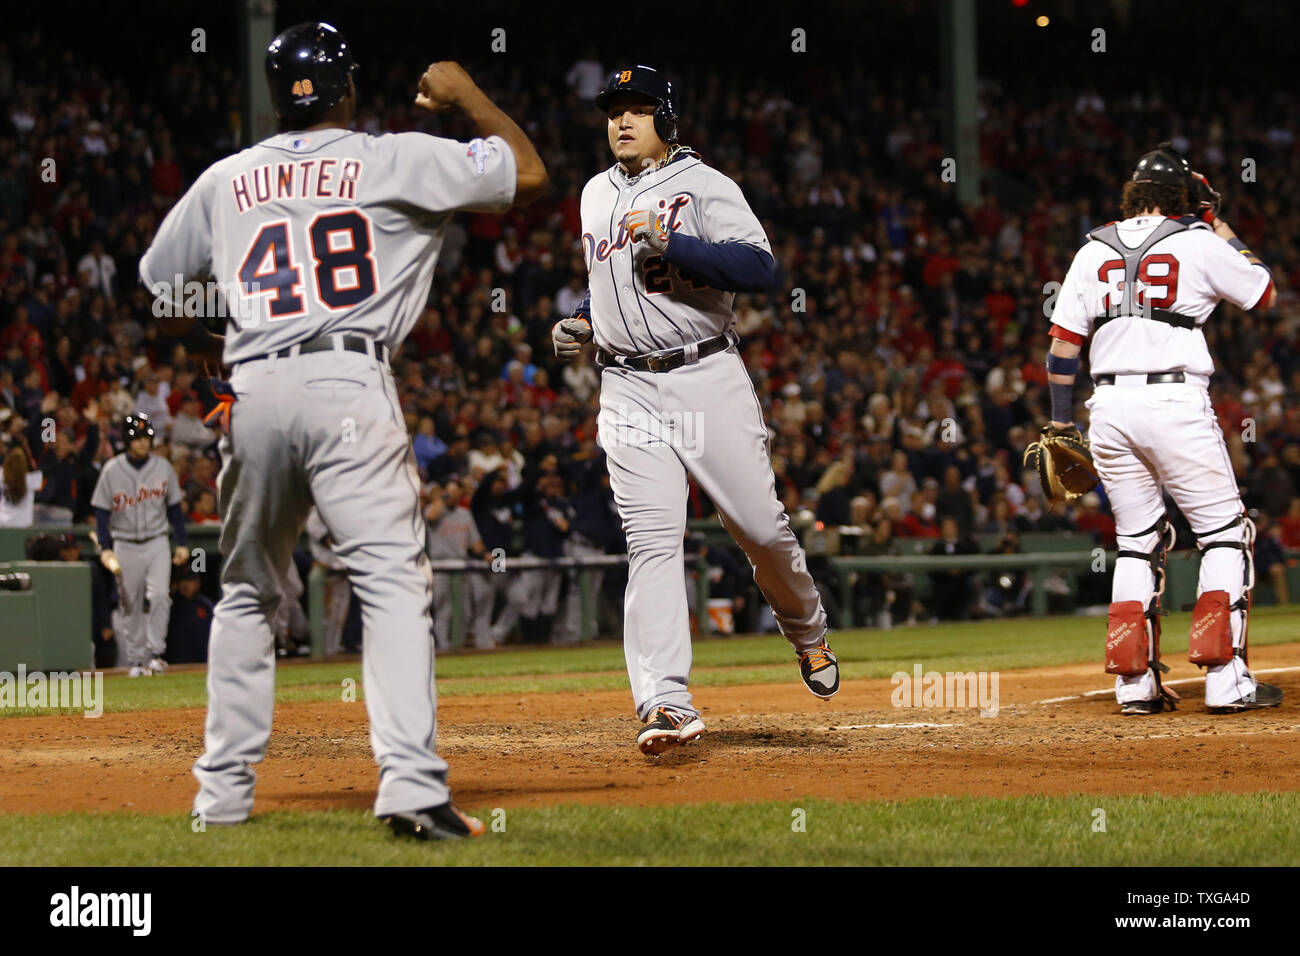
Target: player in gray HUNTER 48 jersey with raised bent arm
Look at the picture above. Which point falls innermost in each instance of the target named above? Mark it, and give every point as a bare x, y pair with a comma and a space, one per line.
331, 237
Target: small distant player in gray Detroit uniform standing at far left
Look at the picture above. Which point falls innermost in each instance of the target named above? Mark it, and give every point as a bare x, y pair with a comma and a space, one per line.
138, 494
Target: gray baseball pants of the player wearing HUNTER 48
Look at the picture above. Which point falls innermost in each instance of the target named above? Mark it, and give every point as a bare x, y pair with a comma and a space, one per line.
323, 429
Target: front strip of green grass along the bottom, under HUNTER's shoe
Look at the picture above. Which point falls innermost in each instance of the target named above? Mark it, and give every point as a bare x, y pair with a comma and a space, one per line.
1028, 832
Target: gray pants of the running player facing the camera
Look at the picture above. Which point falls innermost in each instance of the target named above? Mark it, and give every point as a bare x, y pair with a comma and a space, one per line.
703, 419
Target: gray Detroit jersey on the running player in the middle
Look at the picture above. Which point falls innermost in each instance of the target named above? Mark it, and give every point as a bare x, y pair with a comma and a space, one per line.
640, 302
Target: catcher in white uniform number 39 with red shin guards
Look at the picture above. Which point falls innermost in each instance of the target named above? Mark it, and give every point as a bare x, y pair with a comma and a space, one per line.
1143, 288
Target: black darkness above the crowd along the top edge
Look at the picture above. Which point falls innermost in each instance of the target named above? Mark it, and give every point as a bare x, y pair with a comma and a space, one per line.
1191, 45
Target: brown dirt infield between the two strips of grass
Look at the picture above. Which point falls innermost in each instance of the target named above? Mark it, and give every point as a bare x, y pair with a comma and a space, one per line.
765, 742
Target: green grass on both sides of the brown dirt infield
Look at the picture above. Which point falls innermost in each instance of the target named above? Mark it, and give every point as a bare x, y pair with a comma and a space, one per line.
1147, 830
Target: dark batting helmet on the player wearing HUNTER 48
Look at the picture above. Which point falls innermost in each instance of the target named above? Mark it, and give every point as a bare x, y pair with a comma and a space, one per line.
307, 70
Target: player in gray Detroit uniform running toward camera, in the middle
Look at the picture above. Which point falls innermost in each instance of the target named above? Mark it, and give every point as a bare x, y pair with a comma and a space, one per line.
669, 241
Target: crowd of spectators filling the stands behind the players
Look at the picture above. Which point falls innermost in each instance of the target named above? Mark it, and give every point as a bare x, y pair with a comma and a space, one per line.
900, 366
